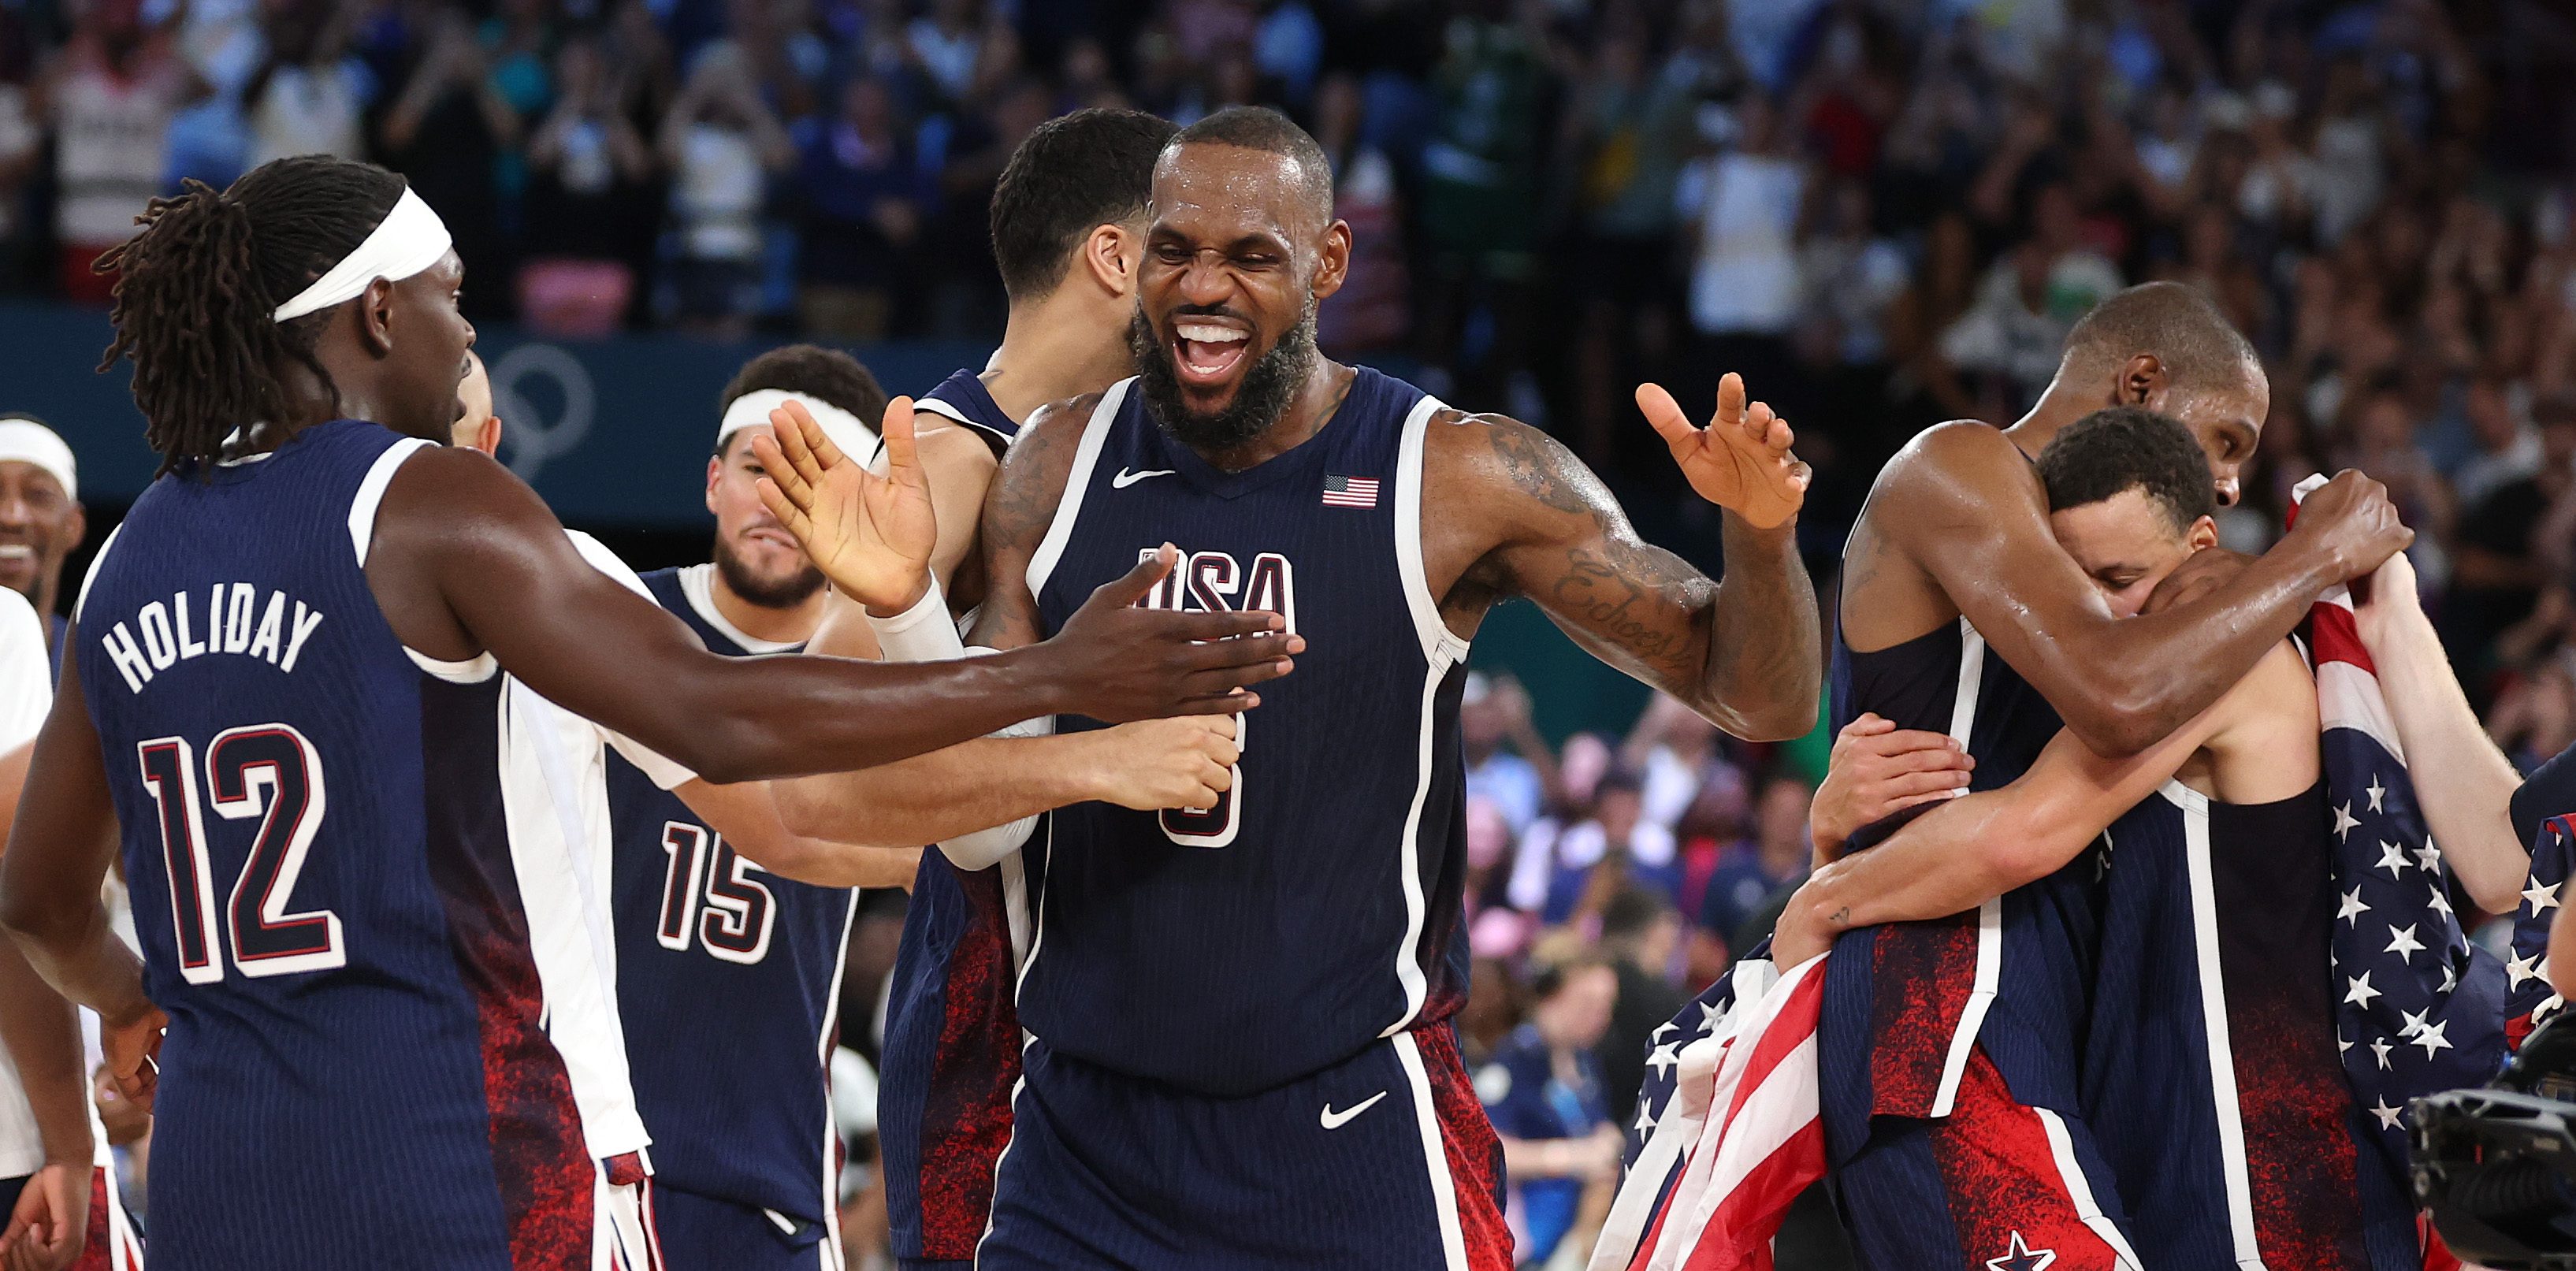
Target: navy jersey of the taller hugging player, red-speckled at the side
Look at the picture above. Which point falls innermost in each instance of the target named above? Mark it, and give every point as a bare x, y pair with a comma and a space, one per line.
1908, 1002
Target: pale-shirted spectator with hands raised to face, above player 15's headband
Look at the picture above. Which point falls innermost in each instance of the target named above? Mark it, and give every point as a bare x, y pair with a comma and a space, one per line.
720, 146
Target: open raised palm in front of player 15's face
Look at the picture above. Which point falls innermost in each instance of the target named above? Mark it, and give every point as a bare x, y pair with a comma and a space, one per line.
869, 535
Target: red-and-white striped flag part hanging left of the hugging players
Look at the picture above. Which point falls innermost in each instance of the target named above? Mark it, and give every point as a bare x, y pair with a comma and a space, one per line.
1743, 1128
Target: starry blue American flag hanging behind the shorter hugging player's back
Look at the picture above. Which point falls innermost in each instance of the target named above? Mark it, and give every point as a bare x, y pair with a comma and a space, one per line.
2405, 1027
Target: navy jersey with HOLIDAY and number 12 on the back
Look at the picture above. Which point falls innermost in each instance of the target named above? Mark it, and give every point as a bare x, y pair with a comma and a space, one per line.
316, 834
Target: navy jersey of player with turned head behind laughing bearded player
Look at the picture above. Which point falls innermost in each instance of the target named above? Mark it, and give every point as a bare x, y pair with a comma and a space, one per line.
952, 1033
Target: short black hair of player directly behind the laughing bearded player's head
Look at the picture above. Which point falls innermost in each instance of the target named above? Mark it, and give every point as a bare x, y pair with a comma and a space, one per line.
1070, 177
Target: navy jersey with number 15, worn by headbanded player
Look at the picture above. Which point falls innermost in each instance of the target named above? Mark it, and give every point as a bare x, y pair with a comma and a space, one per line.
728, 978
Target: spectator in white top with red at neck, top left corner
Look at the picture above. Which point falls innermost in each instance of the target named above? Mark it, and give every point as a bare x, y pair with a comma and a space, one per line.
112, 97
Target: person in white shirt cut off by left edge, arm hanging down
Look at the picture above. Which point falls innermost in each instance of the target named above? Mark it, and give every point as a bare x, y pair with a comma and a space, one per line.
53, 1159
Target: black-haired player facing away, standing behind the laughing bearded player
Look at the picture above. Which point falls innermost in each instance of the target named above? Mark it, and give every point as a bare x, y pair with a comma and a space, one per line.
1068, 228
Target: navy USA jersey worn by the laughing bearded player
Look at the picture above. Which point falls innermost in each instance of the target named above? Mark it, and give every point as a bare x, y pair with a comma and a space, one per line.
1315, 909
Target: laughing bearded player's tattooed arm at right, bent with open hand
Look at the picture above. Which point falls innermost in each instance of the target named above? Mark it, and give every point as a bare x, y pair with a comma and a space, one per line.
1745, 651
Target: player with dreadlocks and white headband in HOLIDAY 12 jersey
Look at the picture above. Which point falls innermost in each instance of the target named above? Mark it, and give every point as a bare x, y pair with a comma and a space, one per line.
352, 703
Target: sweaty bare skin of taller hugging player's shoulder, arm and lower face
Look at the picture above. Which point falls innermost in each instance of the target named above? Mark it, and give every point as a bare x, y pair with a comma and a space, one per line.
1959, 527
